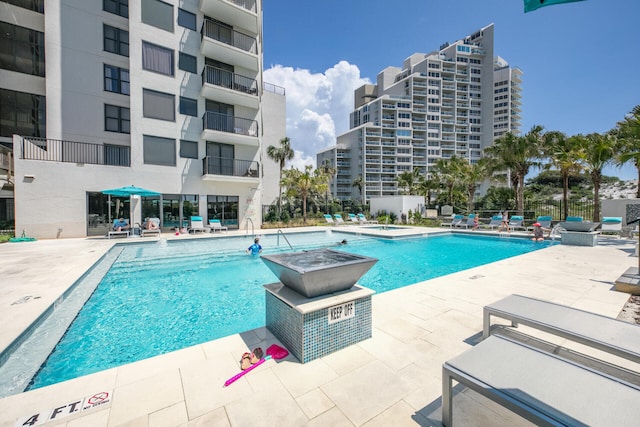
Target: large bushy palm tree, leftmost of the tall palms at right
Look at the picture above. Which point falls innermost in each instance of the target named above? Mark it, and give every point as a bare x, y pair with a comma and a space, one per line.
516, 154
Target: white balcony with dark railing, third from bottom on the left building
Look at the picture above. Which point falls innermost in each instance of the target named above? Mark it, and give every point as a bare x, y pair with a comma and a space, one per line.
230, 88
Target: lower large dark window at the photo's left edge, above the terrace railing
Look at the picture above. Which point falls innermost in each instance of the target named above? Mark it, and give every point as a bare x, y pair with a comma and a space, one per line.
22, 114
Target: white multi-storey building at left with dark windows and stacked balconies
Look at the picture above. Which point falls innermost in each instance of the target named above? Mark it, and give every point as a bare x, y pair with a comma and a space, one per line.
164, 95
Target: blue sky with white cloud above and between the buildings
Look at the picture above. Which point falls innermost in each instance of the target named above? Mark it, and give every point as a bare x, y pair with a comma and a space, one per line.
580, 60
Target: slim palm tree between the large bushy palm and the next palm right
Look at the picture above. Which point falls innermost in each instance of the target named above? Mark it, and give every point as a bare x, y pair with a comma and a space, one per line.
563, 154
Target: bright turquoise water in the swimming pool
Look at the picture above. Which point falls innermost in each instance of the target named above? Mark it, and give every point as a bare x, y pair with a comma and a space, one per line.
158, 298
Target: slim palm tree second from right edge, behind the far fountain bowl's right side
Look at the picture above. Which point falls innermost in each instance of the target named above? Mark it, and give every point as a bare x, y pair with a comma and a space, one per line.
597, 151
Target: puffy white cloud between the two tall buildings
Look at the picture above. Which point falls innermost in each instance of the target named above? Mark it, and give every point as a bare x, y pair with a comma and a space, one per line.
318, 106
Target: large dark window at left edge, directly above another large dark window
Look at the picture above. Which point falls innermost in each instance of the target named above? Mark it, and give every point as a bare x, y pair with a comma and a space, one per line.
21, 49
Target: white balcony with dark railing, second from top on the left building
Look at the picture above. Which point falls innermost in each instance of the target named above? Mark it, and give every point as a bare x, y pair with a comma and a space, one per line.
230, 46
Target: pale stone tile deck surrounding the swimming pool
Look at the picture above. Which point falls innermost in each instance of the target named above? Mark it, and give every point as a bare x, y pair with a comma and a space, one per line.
392, 379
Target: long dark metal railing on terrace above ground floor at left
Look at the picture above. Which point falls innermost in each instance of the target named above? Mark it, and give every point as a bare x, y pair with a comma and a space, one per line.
55, 150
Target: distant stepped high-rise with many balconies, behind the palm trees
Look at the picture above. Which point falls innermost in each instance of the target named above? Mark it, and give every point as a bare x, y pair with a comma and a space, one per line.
436, 106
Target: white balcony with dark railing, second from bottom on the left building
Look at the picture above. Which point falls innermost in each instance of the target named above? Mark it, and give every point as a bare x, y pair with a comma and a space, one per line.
230, 129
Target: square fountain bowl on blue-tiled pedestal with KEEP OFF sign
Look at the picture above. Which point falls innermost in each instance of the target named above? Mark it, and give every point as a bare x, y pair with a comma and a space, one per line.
317, 307
